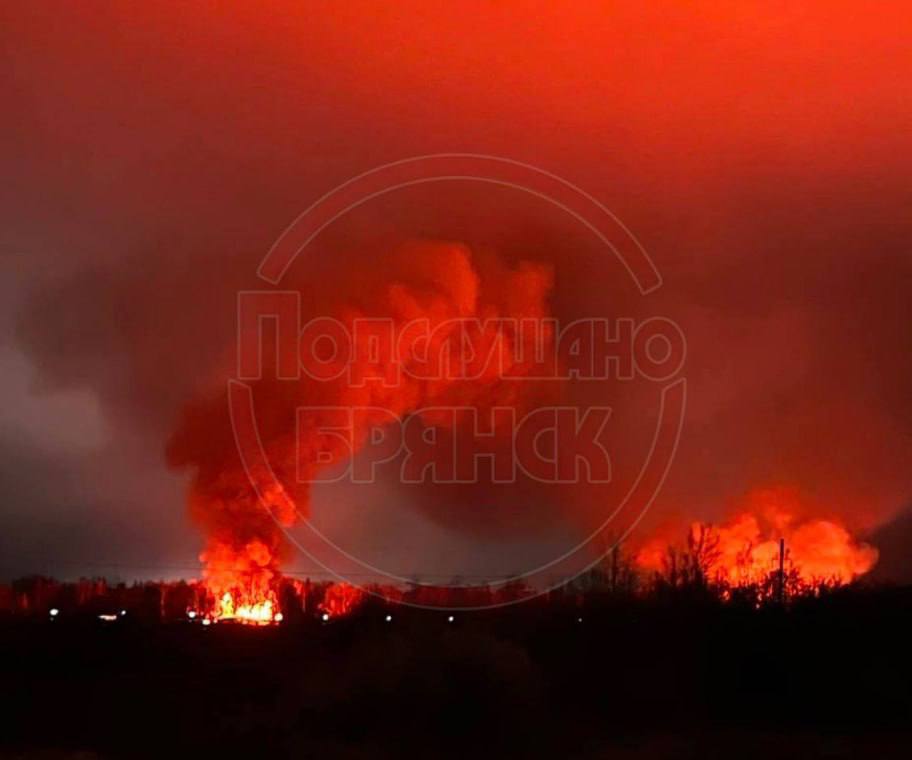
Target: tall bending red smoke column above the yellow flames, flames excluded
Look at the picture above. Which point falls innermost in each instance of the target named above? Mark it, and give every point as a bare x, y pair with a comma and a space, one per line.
435, 285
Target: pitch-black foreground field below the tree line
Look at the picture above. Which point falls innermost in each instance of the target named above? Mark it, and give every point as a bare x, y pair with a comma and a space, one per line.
678, 678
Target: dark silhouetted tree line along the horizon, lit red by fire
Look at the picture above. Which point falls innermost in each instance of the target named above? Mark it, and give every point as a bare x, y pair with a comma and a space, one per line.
689, 571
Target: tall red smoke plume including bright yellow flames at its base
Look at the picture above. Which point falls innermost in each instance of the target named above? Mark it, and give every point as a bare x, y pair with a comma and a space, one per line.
440, 283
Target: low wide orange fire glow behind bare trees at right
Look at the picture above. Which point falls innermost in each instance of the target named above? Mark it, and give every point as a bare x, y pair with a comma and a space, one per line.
745, 551
